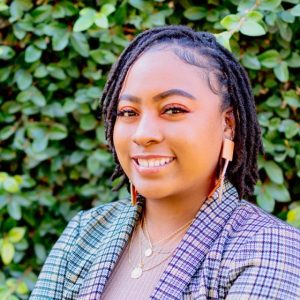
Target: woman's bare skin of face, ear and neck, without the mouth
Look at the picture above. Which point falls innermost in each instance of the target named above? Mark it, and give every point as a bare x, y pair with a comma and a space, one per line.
190, 130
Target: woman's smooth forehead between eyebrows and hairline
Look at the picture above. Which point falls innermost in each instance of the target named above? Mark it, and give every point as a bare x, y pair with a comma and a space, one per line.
159, 70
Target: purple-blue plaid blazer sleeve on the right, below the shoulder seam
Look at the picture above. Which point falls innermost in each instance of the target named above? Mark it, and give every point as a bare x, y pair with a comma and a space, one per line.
267, 266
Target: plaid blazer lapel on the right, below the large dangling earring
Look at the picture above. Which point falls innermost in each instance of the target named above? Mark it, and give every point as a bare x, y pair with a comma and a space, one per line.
191, 252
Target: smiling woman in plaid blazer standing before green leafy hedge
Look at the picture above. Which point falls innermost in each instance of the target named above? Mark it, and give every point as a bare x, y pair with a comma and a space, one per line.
175, 104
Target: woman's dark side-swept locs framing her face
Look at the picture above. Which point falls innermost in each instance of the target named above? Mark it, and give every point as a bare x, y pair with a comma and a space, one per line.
234, 87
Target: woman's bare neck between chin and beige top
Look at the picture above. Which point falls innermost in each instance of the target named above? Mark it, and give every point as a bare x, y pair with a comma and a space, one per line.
166, 215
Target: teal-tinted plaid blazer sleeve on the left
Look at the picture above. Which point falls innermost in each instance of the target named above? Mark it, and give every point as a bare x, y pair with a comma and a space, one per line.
50, 282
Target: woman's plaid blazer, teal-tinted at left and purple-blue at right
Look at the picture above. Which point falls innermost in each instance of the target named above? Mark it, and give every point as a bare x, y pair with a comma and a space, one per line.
232, 250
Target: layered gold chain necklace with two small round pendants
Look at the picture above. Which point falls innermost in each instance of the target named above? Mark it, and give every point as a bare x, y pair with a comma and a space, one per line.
151, 250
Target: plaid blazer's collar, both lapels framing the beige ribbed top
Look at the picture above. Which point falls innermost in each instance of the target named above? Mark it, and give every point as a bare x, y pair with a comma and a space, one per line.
187, 258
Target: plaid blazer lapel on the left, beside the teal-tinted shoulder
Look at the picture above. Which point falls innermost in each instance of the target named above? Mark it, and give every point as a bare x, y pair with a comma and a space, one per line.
114, 241
